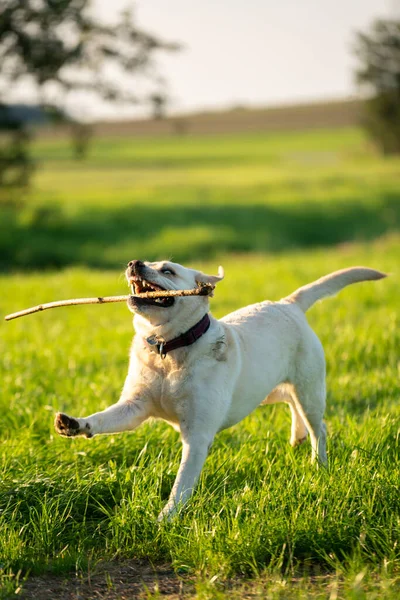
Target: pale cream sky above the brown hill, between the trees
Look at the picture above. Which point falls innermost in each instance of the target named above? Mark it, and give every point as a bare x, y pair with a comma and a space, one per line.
247, 52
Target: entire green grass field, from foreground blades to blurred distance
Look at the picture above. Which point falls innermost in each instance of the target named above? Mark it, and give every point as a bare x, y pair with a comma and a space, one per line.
277, 211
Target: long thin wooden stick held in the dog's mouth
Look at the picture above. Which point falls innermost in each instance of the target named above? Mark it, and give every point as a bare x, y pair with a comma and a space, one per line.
203, 289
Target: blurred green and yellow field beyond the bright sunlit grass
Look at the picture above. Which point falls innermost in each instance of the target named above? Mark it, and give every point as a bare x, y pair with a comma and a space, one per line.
197, 197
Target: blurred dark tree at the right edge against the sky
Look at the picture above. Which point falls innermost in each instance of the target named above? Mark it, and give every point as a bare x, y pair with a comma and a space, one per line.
378, 52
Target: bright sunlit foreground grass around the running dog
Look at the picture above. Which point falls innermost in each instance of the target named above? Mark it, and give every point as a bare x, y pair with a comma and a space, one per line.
258, 502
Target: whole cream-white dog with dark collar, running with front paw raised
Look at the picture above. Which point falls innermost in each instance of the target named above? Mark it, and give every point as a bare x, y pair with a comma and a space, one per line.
203, 375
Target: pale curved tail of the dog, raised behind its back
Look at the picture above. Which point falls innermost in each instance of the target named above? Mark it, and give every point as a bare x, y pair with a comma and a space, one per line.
330, 285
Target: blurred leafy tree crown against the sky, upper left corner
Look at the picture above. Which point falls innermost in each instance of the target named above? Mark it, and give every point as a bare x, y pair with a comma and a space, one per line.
59, 47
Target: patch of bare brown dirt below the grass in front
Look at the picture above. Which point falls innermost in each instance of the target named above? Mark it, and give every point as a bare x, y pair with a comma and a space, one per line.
126, 580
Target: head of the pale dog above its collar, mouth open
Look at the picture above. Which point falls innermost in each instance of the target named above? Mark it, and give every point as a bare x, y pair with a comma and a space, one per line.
166, 275
